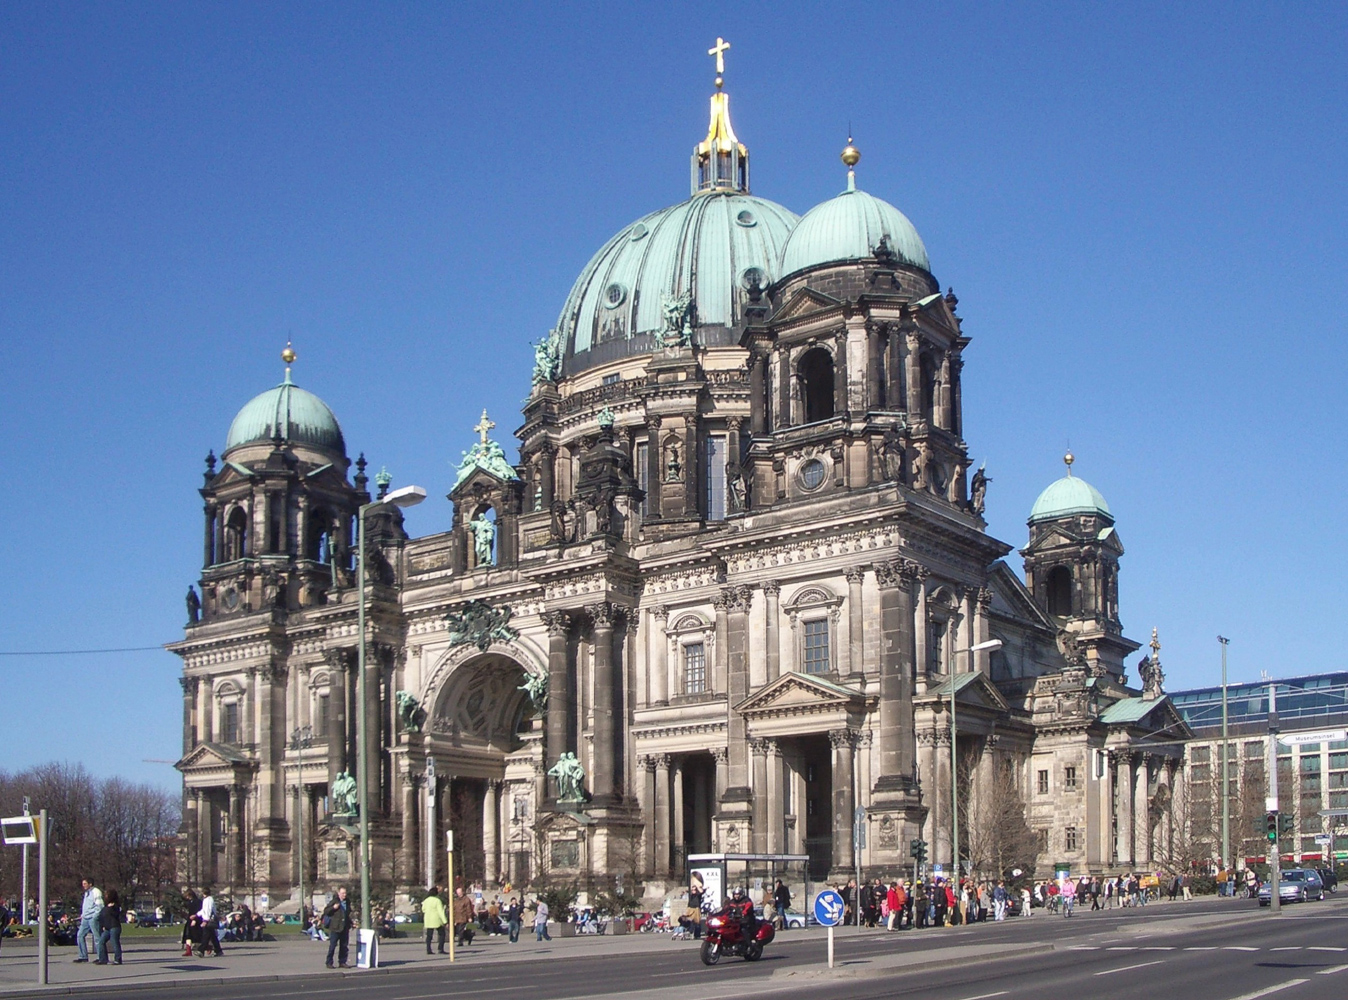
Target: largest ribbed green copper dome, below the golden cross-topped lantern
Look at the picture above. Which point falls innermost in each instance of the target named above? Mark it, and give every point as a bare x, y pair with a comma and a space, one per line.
711, 247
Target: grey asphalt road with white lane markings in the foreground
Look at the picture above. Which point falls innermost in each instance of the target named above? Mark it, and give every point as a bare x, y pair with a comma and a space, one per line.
1211, 951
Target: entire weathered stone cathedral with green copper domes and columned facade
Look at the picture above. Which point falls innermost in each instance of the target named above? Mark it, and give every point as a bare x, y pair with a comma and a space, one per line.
737, 572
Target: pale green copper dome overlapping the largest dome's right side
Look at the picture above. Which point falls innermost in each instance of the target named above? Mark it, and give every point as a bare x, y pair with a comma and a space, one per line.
850, 227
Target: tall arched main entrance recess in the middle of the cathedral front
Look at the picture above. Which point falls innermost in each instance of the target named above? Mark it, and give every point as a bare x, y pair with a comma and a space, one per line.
481, 722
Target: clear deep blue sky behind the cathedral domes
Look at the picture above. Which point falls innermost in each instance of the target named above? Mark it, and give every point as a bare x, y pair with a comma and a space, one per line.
1141, 207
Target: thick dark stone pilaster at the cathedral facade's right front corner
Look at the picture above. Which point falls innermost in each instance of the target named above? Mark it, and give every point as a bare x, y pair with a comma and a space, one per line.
898, 652
